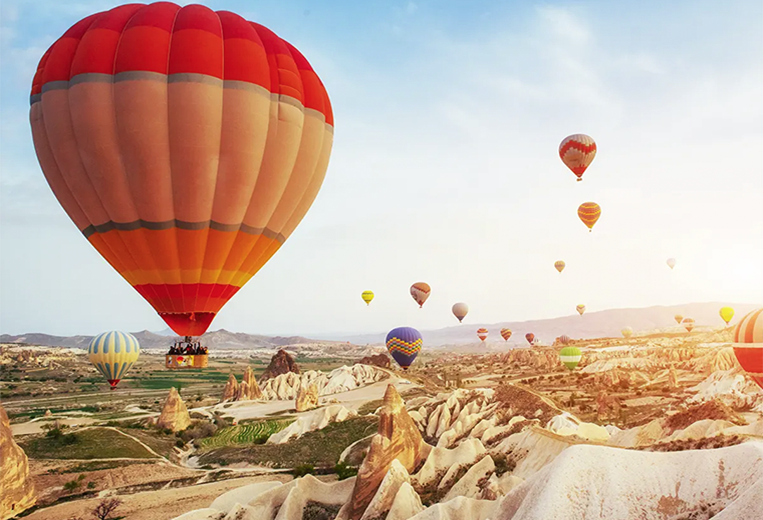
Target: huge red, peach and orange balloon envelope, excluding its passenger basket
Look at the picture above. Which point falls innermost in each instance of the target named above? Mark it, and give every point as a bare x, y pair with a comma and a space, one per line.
185, 144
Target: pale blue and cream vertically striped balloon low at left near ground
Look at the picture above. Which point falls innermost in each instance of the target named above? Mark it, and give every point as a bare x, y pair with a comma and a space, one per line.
113, 354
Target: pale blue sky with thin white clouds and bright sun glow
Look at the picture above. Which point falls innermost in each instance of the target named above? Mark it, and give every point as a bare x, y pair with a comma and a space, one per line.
448, 118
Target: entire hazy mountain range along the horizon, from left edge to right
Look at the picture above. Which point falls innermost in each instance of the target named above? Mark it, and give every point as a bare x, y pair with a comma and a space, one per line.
598, 324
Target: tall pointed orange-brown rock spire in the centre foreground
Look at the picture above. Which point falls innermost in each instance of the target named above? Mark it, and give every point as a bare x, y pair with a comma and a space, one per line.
398, 439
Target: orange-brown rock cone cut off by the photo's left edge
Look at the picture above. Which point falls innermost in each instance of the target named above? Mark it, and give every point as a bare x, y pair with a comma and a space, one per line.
16, 487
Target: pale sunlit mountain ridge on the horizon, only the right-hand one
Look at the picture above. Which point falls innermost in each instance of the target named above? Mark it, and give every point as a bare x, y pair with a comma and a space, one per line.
598, 324
